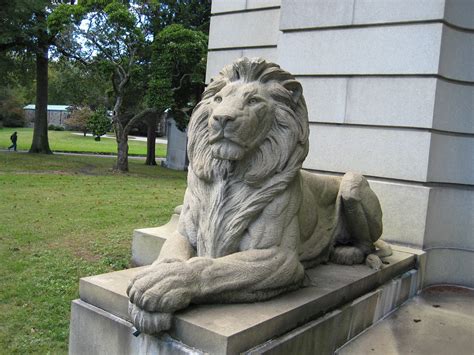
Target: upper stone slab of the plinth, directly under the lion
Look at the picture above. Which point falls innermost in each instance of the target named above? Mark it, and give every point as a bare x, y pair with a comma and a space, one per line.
232, 328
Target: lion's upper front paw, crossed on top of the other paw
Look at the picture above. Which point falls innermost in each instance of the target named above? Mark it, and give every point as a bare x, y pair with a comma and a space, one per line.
164, 288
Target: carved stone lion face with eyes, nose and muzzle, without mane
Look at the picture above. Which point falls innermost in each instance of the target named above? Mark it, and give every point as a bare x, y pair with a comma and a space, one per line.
241, 117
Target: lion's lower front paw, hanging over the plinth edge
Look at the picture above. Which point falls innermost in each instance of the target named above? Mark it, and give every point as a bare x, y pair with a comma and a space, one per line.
147, 322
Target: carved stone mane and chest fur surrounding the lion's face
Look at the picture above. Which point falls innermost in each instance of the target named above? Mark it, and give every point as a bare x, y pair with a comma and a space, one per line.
265, 172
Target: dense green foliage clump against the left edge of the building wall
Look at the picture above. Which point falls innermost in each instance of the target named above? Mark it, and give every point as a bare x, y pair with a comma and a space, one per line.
178, 70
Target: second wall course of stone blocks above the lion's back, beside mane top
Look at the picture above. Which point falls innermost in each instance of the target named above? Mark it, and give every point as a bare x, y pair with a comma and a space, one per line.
391, 101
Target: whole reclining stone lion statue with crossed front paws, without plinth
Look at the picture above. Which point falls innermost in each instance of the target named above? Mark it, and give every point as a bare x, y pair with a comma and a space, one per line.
252, 220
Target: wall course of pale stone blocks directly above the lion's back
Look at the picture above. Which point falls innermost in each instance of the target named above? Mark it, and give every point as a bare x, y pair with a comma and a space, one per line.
396, 153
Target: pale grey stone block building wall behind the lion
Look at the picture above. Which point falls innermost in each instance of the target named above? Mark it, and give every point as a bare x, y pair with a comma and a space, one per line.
390, 91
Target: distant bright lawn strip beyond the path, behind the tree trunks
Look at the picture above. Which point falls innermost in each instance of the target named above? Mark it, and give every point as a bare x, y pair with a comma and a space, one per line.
66, 141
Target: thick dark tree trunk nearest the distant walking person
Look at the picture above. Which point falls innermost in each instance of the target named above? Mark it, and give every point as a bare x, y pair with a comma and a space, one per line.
40, 142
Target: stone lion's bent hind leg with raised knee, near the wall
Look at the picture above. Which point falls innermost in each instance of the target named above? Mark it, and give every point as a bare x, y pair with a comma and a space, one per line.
362, 217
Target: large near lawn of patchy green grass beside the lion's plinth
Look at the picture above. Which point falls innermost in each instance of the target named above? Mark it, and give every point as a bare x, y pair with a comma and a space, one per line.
62, 218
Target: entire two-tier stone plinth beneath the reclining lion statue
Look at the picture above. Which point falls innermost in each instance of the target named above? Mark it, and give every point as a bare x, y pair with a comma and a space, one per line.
339, 303
